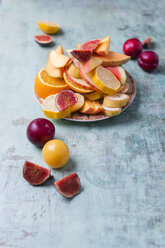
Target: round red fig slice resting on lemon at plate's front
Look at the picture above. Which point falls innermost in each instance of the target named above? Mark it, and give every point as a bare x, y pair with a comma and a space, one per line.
65, 99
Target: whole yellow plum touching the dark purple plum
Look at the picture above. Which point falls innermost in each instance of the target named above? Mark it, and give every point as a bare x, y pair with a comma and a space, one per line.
55, 153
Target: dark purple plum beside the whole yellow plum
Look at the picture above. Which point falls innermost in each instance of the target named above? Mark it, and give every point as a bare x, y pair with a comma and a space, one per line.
39, 131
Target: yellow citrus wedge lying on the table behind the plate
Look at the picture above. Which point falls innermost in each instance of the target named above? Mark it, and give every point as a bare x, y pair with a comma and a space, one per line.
48, 27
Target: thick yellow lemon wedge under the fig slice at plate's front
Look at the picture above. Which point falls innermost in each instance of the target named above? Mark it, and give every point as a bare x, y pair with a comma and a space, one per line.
51, 111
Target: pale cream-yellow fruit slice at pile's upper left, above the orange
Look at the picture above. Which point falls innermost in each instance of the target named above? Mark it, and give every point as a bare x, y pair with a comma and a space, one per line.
58, 60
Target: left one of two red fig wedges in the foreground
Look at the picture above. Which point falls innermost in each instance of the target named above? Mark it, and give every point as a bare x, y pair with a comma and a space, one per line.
34, 173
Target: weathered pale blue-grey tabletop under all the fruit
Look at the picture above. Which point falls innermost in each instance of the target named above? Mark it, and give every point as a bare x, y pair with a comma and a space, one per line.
120, 161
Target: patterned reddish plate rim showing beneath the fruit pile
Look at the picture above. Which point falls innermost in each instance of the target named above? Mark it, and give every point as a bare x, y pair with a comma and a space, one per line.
98, 117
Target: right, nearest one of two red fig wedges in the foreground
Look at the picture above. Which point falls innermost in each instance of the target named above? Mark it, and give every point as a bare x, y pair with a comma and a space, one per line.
69, 185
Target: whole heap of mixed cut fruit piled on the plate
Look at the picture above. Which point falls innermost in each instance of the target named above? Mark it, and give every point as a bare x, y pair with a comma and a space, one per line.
90, 80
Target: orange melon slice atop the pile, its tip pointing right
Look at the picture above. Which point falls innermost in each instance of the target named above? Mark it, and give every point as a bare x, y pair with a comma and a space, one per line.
113, 59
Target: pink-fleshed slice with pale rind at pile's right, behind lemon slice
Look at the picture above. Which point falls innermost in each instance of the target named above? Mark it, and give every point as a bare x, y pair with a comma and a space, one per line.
119, 72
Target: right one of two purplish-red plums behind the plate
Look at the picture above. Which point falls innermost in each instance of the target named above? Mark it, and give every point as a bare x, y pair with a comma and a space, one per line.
148, 60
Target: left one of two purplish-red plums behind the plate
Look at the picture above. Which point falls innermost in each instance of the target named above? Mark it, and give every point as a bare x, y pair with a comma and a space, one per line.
133, 47
